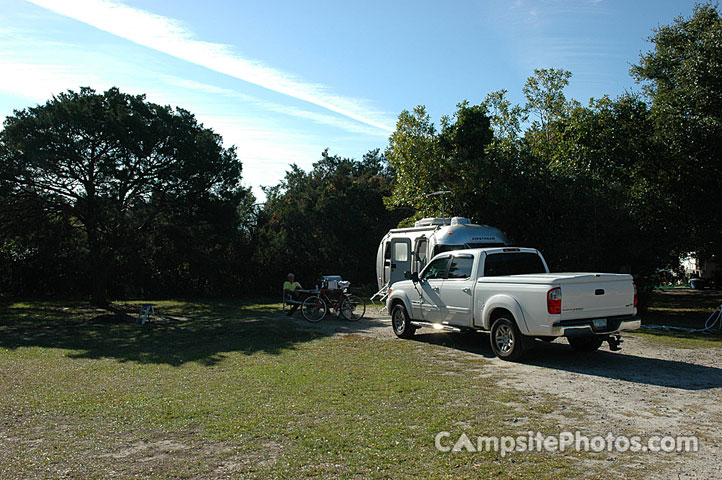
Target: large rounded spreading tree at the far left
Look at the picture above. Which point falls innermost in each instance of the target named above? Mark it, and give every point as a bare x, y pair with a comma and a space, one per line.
117, 169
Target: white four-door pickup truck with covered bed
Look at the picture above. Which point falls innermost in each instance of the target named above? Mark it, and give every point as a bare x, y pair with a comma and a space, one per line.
510, 293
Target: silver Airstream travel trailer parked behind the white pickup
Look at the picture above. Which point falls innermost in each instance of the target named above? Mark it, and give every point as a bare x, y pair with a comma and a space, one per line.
408, 249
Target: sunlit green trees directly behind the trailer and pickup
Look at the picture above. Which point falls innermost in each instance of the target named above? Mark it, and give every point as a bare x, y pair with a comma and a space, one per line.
577, 183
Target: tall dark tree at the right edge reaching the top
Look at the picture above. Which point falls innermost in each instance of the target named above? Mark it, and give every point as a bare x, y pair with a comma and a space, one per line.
682, 76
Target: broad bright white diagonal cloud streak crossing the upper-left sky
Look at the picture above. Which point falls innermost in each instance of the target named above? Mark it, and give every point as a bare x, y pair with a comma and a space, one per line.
168, 36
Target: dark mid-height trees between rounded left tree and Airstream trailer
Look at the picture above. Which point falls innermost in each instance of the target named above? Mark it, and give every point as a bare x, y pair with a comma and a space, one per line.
326, 221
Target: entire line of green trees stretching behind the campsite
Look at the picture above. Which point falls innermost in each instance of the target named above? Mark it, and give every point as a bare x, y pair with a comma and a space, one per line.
108, 195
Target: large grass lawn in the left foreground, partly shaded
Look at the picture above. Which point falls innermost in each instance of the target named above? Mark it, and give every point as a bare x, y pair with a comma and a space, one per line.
234, 390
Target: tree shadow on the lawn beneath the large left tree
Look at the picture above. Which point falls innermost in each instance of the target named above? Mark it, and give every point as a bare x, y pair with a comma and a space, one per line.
184, 332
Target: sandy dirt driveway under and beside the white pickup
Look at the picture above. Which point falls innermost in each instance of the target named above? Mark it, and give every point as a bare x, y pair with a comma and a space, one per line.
646, 389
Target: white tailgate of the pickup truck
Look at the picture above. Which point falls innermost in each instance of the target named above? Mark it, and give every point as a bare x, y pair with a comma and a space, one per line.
596, 295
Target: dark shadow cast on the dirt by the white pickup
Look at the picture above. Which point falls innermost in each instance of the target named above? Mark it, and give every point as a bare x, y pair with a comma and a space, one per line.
602, 363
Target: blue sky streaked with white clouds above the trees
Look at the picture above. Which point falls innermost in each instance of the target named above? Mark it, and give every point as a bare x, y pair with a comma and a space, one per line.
282, 80
